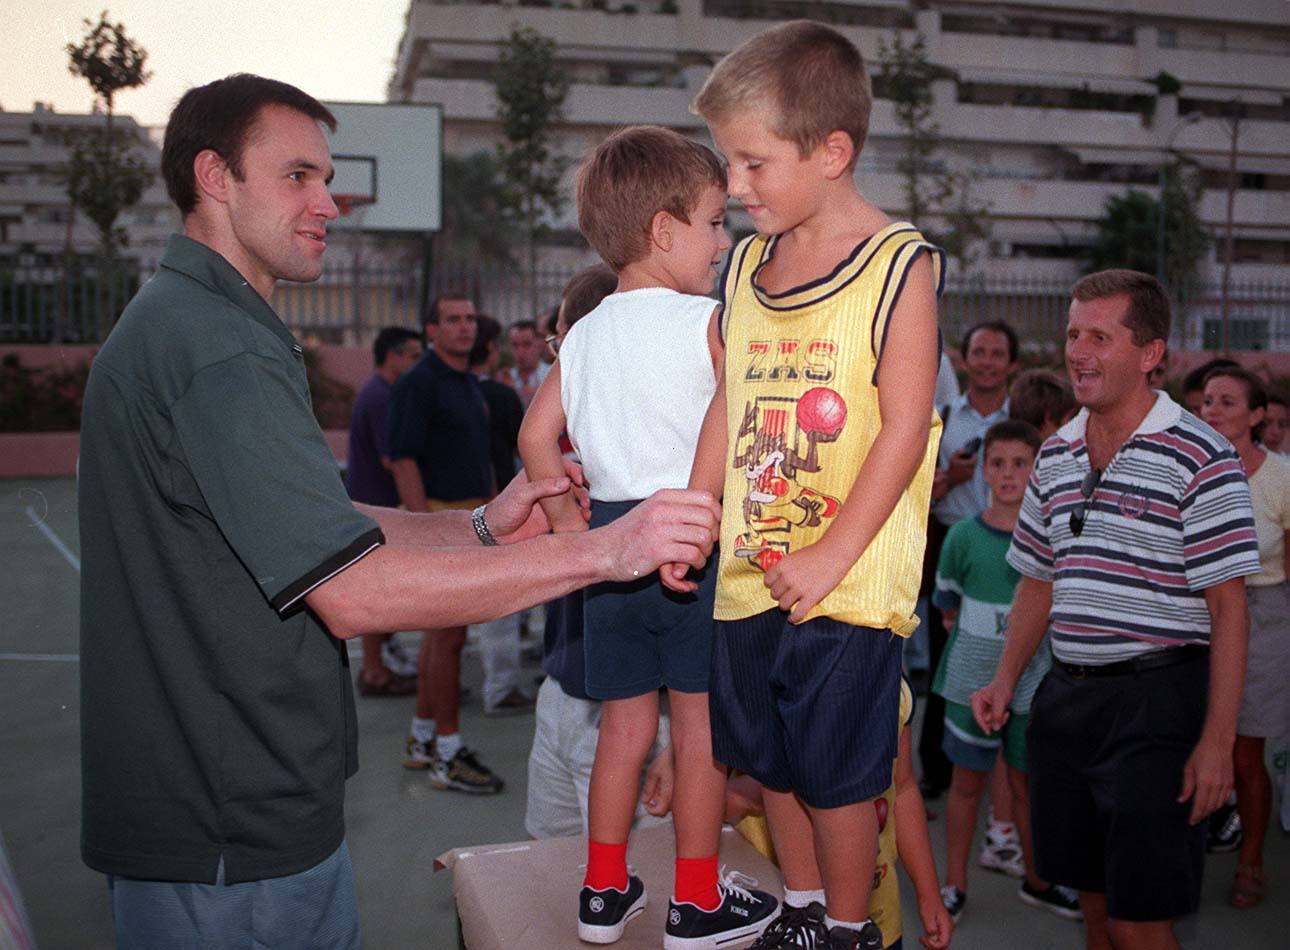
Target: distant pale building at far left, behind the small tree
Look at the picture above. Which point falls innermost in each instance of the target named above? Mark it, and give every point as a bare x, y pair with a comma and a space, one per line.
35, 212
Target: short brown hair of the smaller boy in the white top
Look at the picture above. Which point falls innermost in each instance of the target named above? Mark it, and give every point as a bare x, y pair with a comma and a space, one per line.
634, 175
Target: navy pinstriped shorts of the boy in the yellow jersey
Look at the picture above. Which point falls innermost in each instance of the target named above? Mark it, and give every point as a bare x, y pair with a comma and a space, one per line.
809, 708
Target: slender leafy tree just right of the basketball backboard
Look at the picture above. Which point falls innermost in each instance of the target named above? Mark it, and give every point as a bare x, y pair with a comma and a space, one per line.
531, 94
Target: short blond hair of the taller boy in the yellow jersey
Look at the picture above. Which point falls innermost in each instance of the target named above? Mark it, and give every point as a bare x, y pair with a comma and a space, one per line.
815, 77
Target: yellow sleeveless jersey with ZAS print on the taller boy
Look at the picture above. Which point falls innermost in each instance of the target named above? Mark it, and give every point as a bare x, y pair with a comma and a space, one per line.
802, 416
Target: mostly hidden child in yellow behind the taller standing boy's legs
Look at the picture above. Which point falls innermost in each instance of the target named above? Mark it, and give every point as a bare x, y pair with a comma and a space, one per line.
902, 834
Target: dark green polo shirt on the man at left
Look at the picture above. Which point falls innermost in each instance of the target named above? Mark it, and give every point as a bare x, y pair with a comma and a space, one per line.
217, 714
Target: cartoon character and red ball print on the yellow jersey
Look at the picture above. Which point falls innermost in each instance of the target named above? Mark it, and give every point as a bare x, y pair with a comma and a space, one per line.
777, 446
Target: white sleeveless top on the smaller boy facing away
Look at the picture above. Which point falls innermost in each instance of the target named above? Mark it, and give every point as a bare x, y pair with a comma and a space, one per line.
635, 381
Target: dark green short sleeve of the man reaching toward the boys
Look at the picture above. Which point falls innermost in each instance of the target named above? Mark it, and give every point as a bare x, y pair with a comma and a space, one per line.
269, 477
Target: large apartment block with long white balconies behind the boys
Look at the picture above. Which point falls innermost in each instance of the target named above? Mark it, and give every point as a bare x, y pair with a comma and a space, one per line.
1052, 105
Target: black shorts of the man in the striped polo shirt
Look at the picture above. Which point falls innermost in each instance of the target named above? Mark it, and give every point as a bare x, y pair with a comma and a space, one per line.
1106, 769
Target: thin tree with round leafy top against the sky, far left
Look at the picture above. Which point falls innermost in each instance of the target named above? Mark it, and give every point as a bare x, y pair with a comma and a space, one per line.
105, 175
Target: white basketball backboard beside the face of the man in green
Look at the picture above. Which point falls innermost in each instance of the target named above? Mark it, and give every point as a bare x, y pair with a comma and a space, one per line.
388, 161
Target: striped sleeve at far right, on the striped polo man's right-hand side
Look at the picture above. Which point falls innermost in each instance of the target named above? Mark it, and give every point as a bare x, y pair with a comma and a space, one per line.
1218, 525
